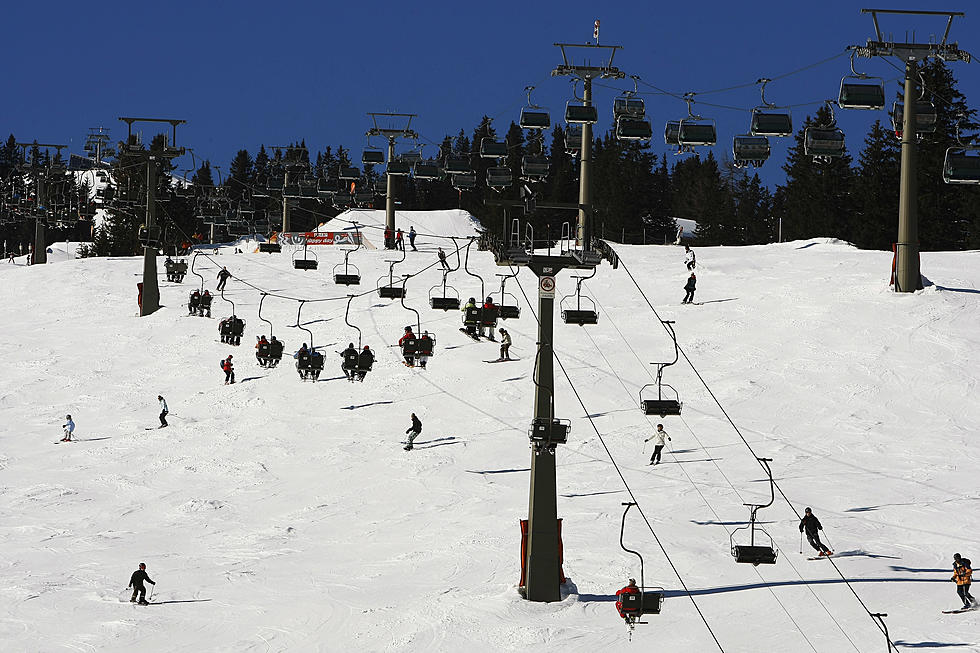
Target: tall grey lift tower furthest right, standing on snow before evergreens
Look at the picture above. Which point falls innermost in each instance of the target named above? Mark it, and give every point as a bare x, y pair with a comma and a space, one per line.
908, 277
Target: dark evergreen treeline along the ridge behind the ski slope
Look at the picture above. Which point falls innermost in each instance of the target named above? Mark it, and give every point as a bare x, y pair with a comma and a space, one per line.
636, 193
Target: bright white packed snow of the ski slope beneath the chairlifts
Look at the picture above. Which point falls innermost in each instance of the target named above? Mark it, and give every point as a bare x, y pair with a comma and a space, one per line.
277, 515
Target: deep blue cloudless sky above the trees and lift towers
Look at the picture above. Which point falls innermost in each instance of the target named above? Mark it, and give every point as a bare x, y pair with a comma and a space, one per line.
244, 73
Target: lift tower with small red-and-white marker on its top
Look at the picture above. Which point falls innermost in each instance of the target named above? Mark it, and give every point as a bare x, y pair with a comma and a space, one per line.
586, 72
